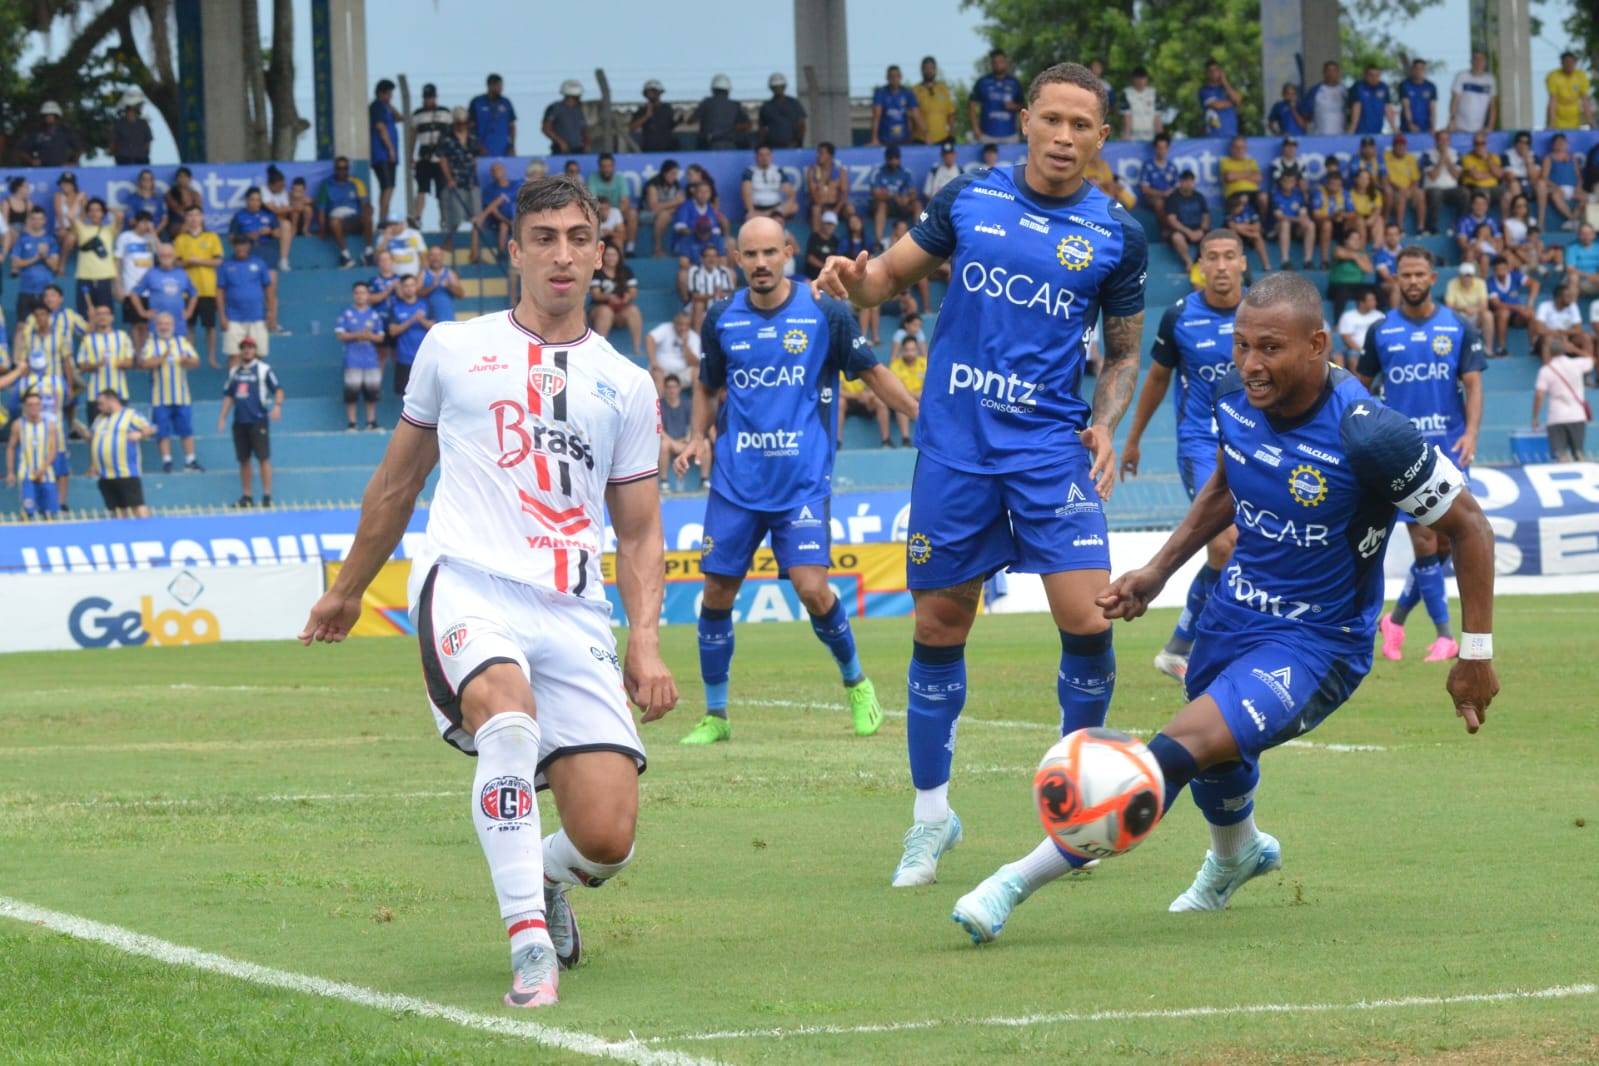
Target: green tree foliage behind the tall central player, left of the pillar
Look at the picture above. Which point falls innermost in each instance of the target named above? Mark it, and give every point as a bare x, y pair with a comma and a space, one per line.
1171, 39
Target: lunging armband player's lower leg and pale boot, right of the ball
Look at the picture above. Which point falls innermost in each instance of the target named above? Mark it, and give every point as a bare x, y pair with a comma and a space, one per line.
1240, 853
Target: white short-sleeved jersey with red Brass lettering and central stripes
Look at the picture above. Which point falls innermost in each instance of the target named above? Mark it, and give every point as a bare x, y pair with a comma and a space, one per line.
530, 437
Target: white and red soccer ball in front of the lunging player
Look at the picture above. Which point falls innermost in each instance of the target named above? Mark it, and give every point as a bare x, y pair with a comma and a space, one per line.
1099, 794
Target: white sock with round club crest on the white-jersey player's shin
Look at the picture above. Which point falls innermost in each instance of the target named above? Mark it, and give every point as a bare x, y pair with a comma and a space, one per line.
506, 814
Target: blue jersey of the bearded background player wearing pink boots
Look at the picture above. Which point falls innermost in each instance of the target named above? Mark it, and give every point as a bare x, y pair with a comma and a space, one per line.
1421, 367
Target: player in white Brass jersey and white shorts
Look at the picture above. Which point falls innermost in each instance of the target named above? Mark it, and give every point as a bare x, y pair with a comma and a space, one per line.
540, 429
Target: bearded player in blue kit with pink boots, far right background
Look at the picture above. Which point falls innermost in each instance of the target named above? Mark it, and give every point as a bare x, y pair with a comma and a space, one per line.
1429, 364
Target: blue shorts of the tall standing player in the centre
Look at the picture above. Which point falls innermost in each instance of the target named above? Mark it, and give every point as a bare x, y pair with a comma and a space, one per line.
973, 525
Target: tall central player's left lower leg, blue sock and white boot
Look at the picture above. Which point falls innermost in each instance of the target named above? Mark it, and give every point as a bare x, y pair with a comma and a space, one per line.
936, 691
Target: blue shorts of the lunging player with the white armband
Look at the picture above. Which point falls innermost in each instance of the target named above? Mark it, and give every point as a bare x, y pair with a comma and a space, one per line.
1272, 688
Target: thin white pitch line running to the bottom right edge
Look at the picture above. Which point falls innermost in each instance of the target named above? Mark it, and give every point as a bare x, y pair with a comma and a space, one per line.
1560, 992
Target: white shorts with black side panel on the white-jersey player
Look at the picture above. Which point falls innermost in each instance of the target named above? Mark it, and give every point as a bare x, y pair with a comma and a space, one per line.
468, 621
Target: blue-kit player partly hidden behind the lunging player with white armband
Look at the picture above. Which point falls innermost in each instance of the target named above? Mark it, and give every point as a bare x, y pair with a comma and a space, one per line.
1195, 343
